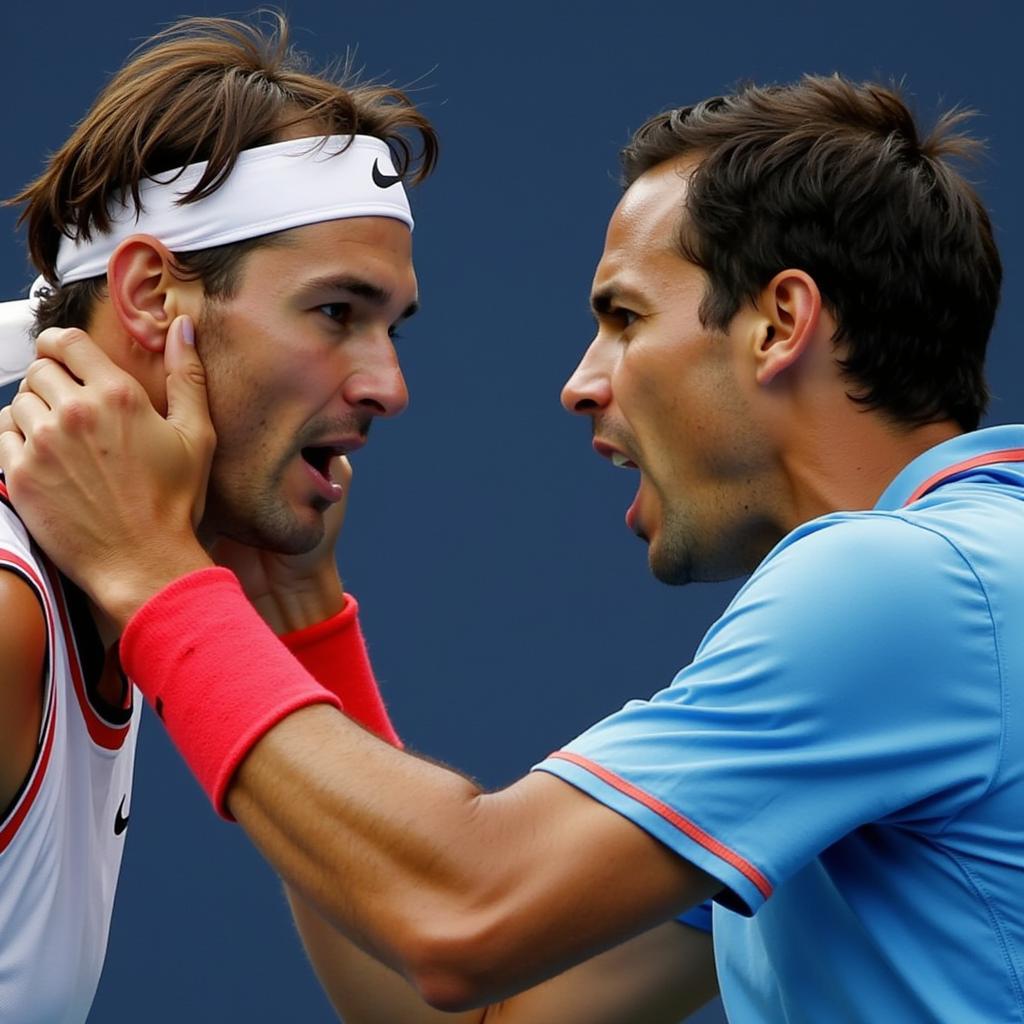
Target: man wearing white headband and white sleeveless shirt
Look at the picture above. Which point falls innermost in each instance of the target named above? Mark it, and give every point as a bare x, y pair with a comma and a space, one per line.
214, 182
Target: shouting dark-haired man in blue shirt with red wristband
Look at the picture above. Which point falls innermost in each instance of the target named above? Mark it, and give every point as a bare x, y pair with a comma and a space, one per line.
793, 308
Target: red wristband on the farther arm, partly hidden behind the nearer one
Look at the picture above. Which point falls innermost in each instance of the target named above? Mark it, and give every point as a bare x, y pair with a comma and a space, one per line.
335, 654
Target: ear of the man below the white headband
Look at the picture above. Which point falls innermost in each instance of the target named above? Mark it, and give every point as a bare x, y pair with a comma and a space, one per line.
146, 292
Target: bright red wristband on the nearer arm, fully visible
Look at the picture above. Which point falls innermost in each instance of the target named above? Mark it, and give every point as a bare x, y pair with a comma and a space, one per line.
216, 674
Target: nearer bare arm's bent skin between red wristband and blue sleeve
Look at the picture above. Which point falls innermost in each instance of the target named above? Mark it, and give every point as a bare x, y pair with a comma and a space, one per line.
464, 893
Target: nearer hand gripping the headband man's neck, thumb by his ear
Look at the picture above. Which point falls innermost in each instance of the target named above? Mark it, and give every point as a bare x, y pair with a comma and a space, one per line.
110, 489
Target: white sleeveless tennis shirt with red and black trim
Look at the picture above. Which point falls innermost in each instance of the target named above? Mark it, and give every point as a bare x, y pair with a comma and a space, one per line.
62, 840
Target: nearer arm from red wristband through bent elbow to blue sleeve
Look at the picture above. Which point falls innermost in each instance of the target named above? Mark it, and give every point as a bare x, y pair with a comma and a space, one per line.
463, 893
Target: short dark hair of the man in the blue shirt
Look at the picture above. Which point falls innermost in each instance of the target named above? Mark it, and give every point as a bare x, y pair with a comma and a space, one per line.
833, 178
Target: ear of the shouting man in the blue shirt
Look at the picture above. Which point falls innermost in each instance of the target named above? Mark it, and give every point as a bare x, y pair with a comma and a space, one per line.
790, 310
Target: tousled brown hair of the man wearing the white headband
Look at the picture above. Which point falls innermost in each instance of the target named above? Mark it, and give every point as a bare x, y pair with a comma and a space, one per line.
202, 90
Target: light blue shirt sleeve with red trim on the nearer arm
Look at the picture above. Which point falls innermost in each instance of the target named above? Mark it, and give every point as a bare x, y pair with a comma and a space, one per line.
852, 680
